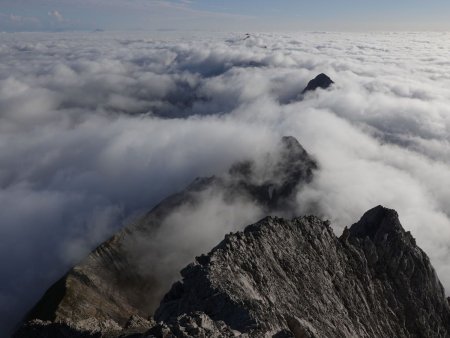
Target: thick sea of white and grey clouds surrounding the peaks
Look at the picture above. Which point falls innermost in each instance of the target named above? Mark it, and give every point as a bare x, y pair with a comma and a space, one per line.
96, 128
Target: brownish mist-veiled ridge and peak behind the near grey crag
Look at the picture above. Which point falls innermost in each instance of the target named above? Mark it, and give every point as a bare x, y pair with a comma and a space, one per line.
122, 277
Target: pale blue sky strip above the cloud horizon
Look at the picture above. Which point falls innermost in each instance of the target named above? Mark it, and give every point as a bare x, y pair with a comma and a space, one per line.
221, 15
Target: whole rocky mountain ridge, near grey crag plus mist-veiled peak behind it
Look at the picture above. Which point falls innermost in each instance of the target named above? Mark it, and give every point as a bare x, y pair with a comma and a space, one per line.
279, 277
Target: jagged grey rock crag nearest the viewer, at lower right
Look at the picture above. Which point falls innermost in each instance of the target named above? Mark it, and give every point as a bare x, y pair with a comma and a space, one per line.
297, 279
